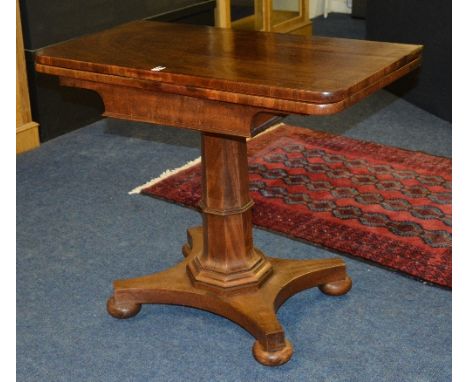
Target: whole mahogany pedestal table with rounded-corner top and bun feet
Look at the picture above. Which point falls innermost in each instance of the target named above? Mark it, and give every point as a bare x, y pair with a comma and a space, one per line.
225, 84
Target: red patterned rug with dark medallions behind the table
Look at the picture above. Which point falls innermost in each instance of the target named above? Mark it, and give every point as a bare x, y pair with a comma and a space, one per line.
379, 203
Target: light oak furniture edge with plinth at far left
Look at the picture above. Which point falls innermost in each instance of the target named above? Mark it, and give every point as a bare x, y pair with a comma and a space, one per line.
27, 131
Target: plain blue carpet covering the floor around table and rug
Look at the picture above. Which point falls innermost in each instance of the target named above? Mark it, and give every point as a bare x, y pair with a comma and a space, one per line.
78, 230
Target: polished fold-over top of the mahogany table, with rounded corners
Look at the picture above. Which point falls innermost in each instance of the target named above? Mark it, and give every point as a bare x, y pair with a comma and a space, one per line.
317, 70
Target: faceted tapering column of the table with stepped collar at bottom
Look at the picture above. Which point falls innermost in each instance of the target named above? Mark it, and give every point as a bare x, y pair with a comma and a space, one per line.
229, 259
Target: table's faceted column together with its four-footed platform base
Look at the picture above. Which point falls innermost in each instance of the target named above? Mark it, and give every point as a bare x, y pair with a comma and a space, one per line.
223, 272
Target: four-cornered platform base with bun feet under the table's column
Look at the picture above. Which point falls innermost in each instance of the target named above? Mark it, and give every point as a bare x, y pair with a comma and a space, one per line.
252, 308
